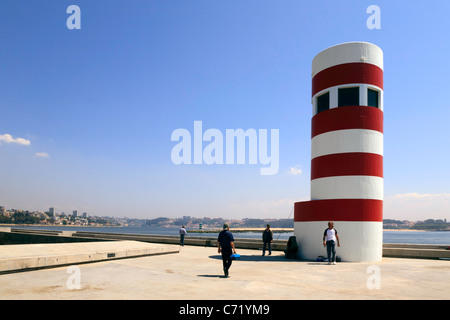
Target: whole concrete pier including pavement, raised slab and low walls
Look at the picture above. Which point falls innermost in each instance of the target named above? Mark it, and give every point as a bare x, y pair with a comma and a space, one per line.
125, 266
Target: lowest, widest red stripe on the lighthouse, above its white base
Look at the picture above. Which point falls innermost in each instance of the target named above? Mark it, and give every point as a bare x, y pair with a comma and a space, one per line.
339, 210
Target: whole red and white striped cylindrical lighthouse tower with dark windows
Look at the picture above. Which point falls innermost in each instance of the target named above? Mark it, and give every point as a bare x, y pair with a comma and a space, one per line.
346, 154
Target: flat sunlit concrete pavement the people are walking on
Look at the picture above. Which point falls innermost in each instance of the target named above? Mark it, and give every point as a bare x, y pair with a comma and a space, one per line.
196, 273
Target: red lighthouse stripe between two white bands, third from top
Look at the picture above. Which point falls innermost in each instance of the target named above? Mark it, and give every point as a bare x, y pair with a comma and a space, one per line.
347, 164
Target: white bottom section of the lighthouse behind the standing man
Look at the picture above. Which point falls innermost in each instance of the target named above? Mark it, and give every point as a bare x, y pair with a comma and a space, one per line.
361, 241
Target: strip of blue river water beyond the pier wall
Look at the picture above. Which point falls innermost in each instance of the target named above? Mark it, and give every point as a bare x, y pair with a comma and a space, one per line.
389, 236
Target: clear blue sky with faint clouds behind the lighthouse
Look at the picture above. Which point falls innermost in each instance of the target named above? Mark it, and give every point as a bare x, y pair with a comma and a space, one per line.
98, 105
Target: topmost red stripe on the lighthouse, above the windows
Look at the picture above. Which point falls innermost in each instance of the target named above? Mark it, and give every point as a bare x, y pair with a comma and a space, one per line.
347, 73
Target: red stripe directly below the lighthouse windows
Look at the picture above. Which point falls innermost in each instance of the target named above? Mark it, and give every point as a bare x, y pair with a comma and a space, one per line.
352, 117
